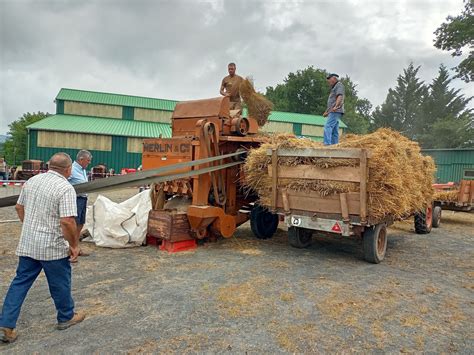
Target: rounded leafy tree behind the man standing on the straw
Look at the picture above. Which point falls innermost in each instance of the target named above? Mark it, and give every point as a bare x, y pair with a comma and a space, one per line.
306, 91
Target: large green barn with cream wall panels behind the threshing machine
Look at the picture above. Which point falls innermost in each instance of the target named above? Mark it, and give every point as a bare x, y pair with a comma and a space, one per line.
113, 126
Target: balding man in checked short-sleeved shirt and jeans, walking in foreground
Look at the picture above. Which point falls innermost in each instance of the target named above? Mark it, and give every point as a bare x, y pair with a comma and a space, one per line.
48, 242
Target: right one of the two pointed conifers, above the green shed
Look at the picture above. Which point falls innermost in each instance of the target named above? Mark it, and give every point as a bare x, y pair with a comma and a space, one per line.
447, 122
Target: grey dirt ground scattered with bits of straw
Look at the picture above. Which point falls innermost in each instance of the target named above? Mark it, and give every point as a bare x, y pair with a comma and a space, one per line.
246, 295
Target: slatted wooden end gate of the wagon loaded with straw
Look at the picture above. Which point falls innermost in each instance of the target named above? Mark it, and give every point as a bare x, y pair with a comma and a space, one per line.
345, 204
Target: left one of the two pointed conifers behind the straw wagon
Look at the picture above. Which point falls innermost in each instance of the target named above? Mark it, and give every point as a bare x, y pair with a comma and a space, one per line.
403, 105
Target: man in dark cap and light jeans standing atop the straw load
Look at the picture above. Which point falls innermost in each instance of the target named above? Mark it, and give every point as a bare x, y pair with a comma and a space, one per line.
334, 111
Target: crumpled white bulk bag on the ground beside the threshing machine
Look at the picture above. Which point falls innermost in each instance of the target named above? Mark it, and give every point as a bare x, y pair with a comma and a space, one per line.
119, 225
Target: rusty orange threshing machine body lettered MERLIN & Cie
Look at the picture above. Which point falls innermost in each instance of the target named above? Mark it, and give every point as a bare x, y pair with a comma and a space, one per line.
203, 129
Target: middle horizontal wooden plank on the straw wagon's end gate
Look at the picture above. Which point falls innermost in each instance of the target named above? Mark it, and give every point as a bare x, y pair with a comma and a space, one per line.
340, 173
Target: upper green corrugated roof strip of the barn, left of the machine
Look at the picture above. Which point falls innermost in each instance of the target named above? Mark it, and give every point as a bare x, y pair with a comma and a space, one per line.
115, 99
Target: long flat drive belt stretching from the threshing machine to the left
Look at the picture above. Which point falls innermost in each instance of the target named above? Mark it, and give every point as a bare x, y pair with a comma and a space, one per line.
138, 178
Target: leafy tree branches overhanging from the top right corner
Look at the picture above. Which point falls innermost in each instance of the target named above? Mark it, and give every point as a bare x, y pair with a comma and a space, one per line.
456, 34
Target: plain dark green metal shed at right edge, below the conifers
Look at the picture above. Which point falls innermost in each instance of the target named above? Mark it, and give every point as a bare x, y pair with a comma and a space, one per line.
452, 165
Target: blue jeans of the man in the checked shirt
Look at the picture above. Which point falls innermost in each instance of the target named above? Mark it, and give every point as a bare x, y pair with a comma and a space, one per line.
58, 274
